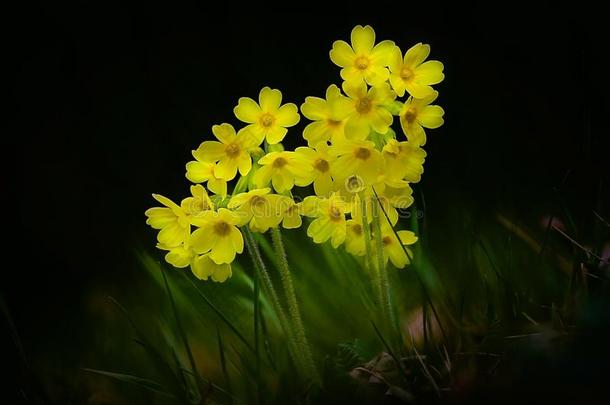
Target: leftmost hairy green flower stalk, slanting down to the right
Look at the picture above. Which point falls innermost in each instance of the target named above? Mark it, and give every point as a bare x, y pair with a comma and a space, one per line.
263, 274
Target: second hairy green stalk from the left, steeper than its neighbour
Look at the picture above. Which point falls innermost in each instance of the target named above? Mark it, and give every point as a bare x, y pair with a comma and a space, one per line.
293, 305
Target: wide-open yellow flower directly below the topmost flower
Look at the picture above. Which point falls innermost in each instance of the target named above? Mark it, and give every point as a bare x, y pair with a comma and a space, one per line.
367, 110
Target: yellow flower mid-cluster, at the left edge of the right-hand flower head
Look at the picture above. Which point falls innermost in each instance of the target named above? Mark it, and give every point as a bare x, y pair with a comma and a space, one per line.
319, 162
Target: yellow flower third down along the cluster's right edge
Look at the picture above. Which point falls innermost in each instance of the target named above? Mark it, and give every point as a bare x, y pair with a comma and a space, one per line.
404, 161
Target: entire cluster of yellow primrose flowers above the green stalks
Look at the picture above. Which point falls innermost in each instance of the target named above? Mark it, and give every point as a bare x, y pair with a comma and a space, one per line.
353, 159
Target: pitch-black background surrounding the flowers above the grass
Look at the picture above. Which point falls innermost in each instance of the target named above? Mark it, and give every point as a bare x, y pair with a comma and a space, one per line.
108, 100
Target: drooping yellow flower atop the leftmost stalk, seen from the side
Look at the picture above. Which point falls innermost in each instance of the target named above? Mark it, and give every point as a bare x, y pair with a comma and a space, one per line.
259, 208
